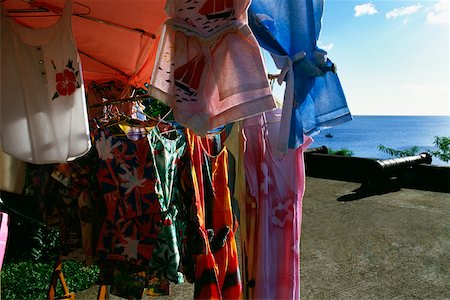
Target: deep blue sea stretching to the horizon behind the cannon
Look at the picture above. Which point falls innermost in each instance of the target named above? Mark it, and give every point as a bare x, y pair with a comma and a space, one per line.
364, 134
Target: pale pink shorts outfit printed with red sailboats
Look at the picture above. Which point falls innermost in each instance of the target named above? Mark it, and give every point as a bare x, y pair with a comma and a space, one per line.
209, 68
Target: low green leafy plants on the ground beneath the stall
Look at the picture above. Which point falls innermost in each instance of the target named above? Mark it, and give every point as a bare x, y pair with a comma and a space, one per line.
29, 279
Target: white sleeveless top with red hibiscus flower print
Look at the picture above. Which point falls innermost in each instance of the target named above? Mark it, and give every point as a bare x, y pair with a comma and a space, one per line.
43, 115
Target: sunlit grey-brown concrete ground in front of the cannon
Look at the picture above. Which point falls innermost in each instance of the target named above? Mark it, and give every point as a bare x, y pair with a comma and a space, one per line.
394, 245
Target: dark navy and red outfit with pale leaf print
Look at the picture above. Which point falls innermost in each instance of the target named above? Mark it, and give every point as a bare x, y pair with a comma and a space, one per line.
127, 179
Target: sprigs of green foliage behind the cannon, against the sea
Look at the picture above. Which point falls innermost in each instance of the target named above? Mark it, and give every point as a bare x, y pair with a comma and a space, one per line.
442, 143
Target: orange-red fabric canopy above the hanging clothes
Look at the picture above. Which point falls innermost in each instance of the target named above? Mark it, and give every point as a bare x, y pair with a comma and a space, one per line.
117, 40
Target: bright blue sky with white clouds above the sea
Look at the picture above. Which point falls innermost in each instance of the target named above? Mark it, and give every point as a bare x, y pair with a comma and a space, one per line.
392, 56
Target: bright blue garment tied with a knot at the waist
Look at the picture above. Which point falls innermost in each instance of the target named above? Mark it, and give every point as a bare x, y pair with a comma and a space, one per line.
314, 99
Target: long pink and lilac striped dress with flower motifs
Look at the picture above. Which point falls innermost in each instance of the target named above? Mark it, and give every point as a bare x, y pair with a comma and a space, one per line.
277, 182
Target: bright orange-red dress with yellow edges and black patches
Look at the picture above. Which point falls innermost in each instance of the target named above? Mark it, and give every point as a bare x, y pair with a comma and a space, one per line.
217, 268
